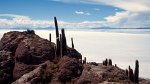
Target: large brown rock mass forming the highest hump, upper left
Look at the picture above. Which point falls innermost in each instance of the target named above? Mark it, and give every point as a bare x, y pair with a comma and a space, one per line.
27, 47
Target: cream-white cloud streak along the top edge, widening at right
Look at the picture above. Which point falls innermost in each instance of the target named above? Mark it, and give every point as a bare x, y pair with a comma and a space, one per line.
128, 5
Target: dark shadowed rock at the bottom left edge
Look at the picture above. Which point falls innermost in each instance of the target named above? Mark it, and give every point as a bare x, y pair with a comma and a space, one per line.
6, 67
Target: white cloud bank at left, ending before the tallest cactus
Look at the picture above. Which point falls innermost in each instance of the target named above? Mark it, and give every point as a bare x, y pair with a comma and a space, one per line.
18, 21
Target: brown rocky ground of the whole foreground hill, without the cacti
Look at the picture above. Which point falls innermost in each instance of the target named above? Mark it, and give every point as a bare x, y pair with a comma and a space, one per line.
26, 58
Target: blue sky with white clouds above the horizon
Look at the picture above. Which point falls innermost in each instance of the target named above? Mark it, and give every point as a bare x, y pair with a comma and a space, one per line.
75, 13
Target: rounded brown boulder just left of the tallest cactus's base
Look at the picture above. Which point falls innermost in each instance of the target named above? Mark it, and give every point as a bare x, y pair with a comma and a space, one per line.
34, 50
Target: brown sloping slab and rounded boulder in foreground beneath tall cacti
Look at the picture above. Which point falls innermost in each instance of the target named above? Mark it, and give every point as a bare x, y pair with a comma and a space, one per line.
67, 70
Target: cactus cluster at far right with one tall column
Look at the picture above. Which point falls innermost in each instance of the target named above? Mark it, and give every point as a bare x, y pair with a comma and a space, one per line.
134, 77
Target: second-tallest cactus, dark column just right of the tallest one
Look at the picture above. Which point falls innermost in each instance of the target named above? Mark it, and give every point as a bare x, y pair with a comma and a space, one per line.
63, 43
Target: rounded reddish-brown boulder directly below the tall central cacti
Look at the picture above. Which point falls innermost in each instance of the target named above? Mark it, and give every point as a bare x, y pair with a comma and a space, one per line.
69, 68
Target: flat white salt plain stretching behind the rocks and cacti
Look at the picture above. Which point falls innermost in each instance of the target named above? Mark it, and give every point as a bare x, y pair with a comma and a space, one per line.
122, 48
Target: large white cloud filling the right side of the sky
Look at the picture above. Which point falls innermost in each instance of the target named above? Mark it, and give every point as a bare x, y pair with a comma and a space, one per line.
136, 12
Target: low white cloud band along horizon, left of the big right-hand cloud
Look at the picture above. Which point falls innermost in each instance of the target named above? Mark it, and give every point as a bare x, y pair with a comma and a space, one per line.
18, 21
